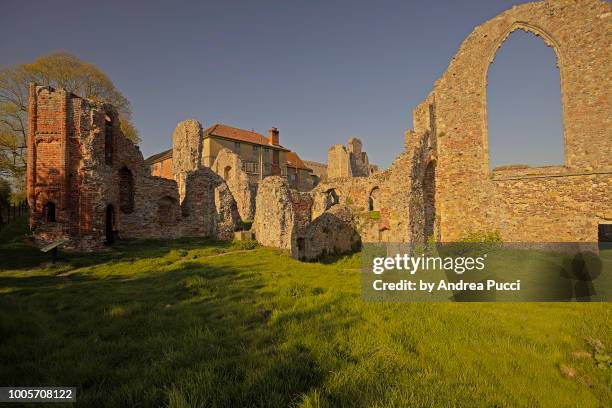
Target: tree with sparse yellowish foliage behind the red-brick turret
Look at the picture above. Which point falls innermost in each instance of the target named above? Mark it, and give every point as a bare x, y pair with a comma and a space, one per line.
58, 70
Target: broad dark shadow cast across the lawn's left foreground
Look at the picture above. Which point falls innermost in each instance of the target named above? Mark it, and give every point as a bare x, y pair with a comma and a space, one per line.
190, 336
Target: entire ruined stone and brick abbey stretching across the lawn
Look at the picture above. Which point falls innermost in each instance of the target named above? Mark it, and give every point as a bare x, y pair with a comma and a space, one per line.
89, 184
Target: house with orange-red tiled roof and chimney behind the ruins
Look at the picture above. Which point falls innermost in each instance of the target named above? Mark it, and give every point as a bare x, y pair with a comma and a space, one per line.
261, 156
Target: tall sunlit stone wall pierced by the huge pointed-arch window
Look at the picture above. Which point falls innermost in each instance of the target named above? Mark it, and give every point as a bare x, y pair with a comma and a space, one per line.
546, 204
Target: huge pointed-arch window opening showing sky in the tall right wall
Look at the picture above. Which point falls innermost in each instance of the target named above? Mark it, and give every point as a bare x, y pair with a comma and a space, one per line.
525, 121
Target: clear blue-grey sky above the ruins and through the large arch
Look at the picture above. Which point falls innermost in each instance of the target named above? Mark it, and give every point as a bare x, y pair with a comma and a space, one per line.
320, 71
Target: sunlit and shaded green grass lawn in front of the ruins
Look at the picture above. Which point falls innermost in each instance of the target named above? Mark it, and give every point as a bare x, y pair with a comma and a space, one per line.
202, 323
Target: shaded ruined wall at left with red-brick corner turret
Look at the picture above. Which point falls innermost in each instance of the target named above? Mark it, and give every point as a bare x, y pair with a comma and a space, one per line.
88, 183
